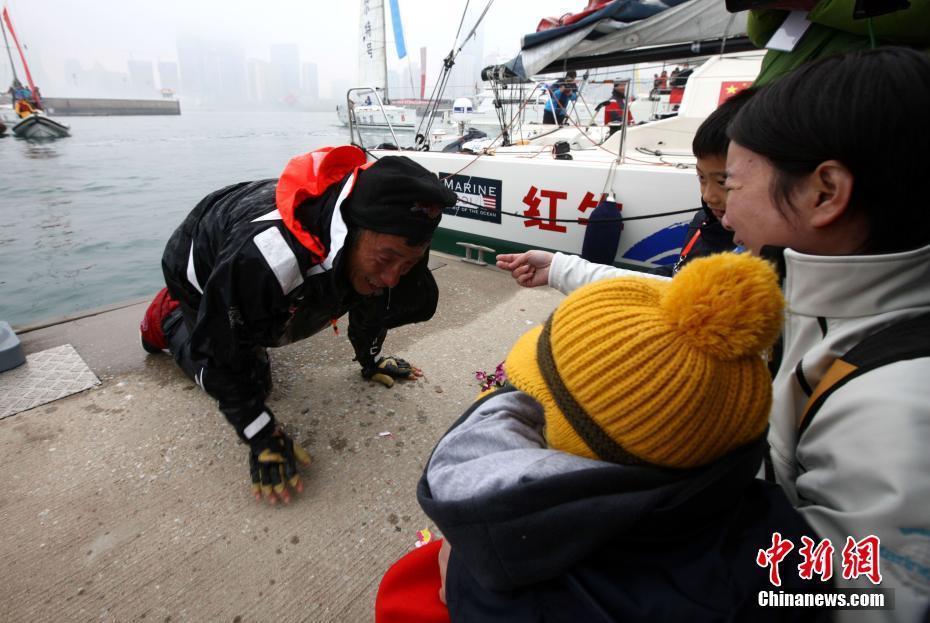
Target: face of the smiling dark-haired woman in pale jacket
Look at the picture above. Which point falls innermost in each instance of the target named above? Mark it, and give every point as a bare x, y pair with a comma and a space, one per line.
751, 212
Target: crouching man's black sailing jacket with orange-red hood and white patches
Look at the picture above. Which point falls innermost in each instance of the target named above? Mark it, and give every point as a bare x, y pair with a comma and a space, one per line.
249, 276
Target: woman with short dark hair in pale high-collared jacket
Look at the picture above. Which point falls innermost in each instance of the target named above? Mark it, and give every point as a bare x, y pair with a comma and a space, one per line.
827, 172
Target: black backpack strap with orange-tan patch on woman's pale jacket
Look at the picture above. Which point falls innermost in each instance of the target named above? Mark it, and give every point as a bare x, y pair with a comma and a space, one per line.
901, 341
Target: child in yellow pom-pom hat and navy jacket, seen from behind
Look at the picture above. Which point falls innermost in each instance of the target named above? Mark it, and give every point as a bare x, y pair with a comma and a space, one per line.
615, 478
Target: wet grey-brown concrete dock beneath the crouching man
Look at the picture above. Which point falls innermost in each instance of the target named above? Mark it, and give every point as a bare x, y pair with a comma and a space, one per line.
130, 501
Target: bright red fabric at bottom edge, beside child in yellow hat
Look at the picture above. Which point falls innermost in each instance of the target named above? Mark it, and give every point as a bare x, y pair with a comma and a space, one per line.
409, 591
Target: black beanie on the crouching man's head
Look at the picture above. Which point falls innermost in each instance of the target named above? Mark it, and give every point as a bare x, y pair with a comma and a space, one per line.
393, 196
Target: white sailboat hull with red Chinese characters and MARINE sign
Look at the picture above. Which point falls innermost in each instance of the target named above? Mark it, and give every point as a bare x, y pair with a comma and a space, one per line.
544, 195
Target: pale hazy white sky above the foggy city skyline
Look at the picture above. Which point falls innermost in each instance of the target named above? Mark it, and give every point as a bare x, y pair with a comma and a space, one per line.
112, 31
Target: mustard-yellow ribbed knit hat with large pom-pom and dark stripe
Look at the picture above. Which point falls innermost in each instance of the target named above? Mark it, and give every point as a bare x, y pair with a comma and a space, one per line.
643, 371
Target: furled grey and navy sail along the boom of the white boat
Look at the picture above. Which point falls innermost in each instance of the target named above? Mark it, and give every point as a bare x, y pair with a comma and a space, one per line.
626, 25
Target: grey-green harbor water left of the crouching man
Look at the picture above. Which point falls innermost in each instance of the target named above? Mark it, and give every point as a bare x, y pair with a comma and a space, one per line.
85, 218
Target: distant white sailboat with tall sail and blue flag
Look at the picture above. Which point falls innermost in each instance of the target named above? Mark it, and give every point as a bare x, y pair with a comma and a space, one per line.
375, 109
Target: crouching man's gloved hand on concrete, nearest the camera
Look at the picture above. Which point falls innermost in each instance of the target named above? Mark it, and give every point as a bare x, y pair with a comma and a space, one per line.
273, 465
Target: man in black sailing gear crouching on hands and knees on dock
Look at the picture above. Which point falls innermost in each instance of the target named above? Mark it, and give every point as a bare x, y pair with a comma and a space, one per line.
266, 263
